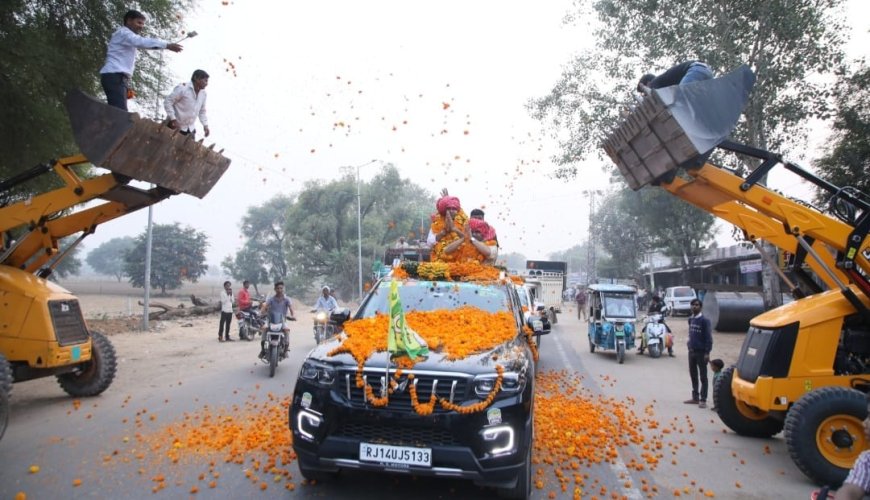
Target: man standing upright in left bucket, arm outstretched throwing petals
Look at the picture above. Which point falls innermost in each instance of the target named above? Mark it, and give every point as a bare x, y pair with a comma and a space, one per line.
121, 57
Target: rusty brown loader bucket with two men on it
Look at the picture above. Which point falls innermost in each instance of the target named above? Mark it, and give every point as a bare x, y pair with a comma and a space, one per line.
142, 149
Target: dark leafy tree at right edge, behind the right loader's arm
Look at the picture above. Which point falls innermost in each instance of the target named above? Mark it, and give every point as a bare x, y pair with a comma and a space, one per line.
847, 159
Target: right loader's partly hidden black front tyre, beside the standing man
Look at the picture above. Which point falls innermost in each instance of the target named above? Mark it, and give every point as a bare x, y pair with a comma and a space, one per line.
738, 416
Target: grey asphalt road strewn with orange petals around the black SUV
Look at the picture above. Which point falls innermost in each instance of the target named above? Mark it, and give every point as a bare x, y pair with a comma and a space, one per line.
172, 381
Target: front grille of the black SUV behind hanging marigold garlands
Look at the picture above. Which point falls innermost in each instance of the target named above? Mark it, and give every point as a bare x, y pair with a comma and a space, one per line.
448, 386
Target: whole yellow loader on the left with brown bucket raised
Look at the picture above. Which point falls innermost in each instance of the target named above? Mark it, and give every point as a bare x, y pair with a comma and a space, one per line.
43, 332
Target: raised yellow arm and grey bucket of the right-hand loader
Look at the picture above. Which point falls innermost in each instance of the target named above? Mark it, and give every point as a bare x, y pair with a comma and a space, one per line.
679, 127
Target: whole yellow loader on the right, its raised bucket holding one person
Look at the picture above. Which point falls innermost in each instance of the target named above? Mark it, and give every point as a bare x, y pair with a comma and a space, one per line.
804, 367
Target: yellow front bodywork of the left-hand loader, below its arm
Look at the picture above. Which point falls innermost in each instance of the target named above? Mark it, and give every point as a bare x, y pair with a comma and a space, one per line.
26, 330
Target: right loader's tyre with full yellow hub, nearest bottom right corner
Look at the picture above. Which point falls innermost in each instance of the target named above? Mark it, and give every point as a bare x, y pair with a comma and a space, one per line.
824, 433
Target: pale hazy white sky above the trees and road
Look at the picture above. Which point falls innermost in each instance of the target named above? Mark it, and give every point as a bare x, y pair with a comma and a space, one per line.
299, 89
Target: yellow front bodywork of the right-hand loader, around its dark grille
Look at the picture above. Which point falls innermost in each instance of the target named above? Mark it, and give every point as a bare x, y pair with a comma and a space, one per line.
820, 318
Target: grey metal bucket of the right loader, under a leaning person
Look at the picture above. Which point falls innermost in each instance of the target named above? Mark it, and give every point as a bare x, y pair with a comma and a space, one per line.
675, 125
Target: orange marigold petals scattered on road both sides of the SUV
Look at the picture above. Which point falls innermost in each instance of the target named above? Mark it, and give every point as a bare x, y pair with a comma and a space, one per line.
576, 430
